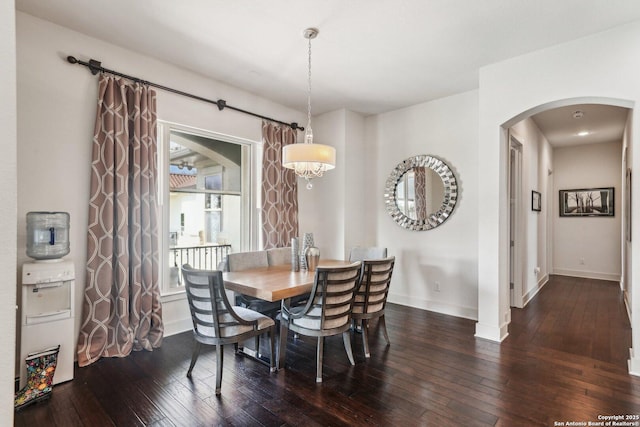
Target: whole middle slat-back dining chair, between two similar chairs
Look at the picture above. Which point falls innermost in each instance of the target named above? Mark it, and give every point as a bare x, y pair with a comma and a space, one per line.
326, 313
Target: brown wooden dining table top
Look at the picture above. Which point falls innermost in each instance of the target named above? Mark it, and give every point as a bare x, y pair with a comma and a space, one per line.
275, 282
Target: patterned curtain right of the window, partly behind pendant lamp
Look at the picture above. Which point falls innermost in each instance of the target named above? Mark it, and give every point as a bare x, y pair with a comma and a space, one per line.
279, 188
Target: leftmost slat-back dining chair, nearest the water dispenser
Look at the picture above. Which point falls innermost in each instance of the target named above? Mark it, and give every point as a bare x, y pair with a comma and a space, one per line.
216, 322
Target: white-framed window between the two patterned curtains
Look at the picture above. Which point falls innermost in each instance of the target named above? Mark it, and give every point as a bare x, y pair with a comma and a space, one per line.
205, 197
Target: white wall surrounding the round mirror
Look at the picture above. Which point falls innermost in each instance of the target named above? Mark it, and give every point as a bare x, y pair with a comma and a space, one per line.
447, 129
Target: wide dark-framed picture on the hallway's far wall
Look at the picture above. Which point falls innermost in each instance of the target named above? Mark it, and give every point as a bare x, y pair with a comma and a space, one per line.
583, 202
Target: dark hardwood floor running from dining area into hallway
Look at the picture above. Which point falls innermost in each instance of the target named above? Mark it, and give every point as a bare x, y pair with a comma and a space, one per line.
565, 360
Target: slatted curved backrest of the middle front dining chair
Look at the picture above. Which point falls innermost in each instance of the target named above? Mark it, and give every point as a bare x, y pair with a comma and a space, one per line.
331, 298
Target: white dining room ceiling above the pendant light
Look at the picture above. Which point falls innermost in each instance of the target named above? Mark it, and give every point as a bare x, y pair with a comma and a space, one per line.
371, 56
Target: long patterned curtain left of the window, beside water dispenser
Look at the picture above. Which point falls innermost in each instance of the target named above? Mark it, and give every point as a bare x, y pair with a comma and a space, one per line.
121, 310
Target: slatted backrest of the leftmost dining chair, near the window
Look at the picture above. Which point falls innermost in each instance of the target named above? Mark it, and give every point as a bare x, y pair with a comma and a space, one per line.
211, 312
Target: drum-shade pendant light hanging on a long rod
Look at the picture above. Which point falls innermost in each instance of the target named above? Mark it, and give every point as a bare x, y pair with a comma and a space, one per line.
307, 159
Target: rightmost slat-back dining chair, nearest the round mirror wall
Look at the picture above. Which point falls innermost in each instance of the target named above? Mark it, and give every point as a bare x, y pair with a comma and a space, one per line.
371, 297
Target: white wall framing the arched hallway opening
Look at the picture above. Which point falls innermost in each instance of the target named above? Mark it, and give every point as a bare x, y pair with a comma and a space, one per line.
602, 68
